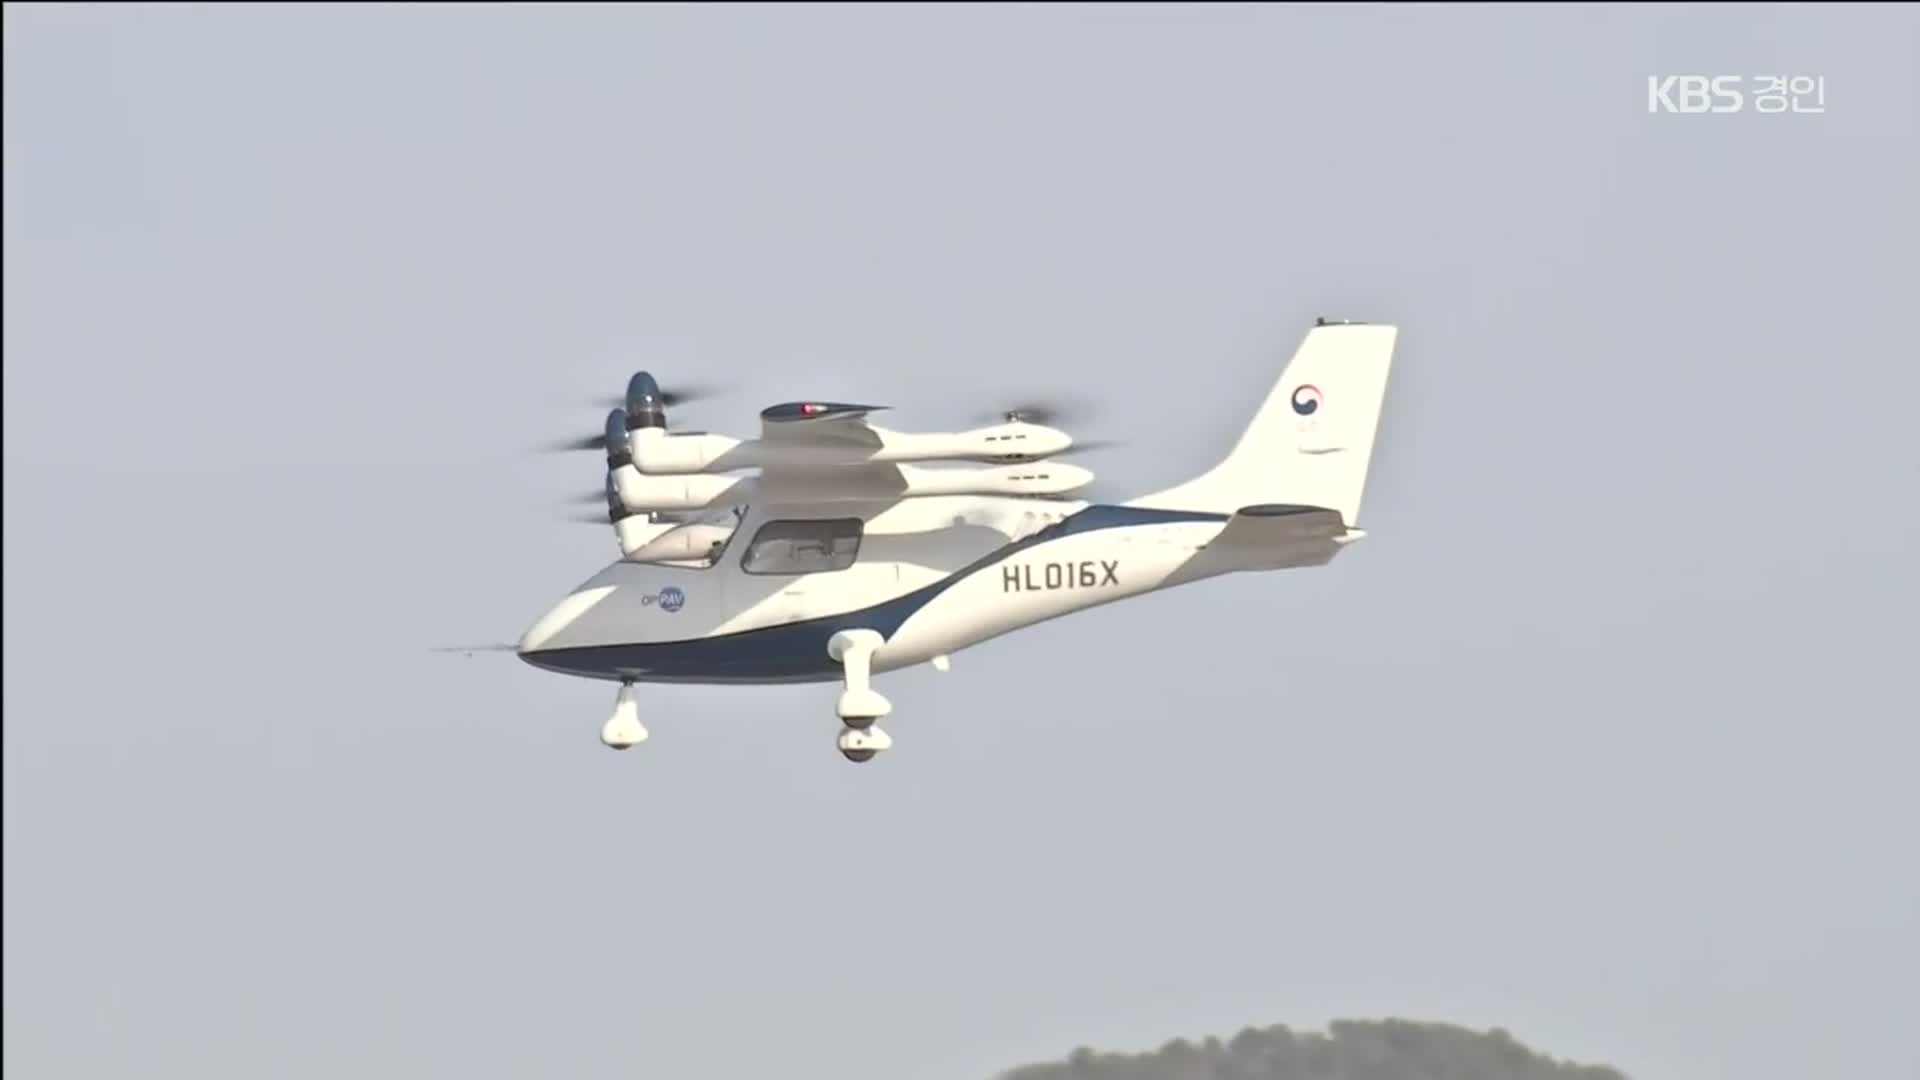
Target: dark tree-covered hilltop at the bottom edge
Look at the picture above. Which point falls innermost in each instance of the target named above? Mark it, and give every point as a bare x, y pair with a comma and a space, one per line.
1347, 1050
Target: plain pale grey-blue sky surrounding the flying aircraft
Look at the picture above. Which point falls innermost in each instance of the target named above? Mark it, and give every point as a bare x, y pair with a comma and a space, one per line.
1606, 735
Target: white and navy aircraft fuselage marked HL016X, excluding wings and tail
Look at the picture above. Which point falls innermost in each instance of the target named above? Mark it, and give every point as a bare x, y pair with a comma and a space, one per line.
932, 576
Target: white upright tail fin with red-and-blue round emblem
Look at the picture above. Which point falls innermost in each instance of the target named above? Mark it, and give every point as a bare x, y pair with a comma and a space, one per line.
1312, 439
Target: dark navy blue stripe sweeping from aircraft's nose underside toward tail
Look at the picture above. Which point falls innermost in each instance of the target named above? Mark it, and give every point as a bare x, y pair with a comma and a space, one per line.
798, 652
